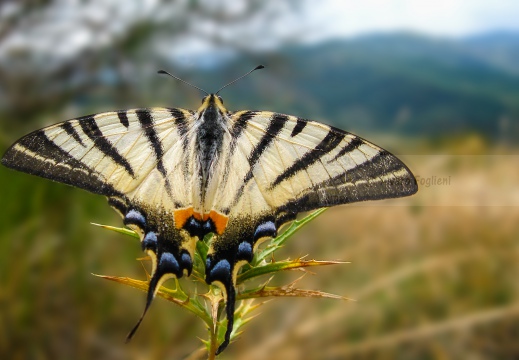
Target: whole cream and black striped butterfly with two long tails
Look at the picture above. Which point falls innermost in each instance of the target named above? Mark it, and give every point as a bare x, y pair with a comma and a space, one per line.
176, 175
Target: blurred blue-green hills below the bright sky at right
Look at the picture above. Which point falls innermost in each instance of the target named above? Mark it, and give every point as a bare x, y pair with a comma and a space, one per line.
399, 83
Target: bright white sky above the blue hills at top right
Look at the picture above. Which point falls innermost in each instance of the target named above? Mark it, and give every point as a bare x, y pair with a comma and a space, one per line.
445, 18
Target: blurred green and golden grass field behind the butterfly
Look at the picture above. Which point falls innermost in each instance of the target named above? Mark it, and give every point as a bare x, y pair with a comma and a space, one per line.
429, 281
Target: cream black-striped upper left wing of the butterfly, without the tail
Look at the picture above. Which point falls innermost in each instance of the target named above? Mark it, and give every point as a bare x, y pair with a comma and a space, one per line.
114, 154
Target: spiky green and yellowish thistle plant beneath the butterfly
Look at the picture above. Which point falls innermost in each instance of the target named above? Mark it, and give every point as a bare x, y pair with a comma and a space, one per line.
207, 301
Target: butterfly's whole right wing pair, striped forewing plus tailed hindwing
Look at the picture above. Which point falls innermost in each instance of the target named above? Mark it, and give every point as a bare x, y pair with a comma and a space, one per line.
278, 166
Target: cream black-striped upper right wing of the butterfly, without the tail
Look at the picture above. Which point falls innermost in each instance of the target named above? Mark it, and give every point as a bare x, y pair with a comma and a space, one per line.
286, 164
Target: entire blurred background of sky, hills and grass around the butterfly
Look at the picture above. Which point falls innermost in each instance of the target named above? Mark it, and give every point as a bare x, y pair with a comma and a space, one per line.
434, 276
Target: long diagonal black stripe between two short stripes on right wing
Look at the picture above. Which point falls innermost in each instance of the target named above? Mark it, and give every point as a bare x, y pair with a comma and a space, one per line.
330, 142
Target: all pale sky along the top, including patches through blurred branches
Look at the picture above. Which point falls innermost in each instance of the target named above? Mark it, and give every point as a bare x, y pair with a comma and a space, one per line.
68, 24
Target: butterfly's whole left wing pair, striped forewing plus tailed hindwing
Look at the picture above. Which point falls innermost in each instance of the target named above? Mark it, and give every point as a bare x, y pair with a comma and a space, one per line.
122, 155
